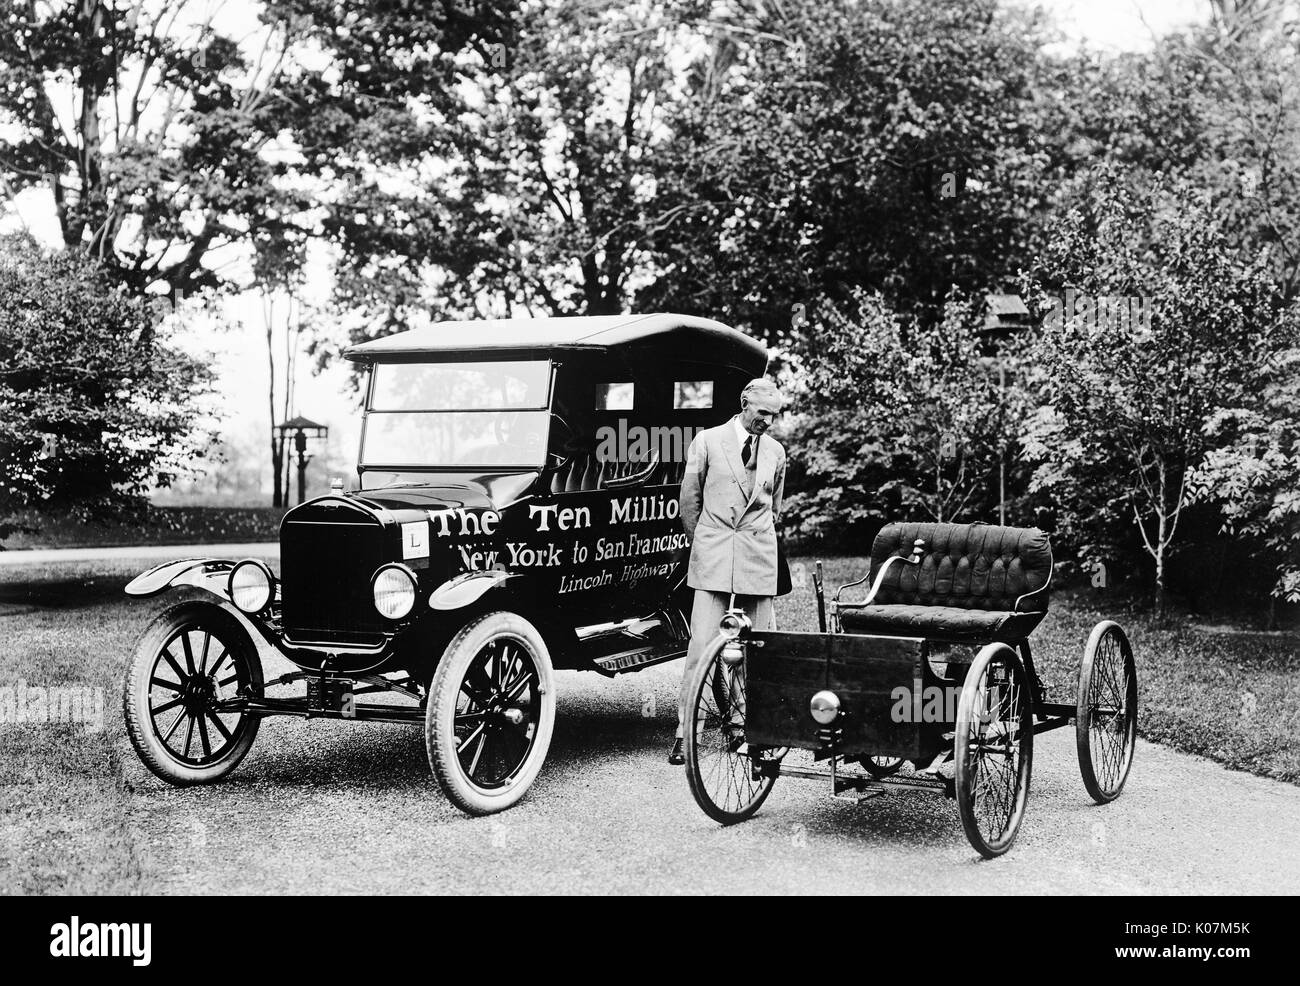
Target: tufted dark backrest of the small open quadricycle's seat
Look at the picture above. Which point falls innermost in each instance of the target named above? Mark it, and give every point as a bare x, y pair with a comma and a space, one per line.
969, 566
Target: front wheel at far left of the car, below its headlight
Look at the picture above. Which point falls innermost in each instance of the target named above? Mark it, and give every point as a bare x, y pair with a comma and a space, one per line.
183, 695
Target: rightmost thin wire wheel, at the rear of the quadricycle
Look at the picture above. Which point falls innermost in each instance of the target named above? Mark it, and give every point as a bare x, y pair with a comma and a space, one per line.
1107, 720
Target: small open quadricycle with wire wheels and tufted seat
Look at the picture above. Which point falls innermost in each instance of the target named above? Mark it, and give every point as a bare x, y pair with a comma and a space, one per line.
894, 682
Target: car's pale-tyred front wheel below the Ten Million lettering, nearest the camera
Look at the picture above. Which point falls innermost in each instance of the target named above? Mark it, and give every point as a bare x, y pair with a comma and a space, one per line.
491, 713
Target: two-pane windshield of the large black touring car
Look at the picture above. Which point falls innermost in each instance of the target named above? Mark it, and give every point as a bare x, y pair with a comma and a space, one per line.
458, 414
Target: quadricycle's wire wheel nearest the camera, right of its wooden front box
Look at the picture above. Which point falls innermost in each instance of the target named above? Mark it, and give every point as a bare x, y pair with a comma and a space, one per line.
994, 750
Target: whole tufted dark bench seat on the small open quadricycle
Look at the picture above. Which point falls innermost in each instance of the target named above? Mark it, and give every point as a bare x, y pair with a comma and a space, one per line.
976, 583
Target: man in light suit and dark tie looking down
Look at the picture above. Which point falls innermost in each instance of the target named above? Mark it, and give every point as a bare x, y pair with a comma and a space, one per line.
731, 499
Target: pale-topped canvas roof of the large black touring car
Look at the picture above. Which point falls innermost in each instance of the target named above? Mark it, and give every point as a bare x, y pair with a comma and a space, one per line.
671, 335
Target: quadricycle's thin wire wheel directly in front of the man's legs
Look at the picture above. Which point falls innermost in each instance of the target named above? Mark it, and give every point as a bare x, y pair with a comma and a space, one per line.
729, 777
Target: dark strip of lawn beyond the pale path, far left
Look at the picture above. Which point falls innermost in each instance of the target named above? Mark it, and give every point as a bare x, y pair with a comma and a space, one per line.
171, 525
